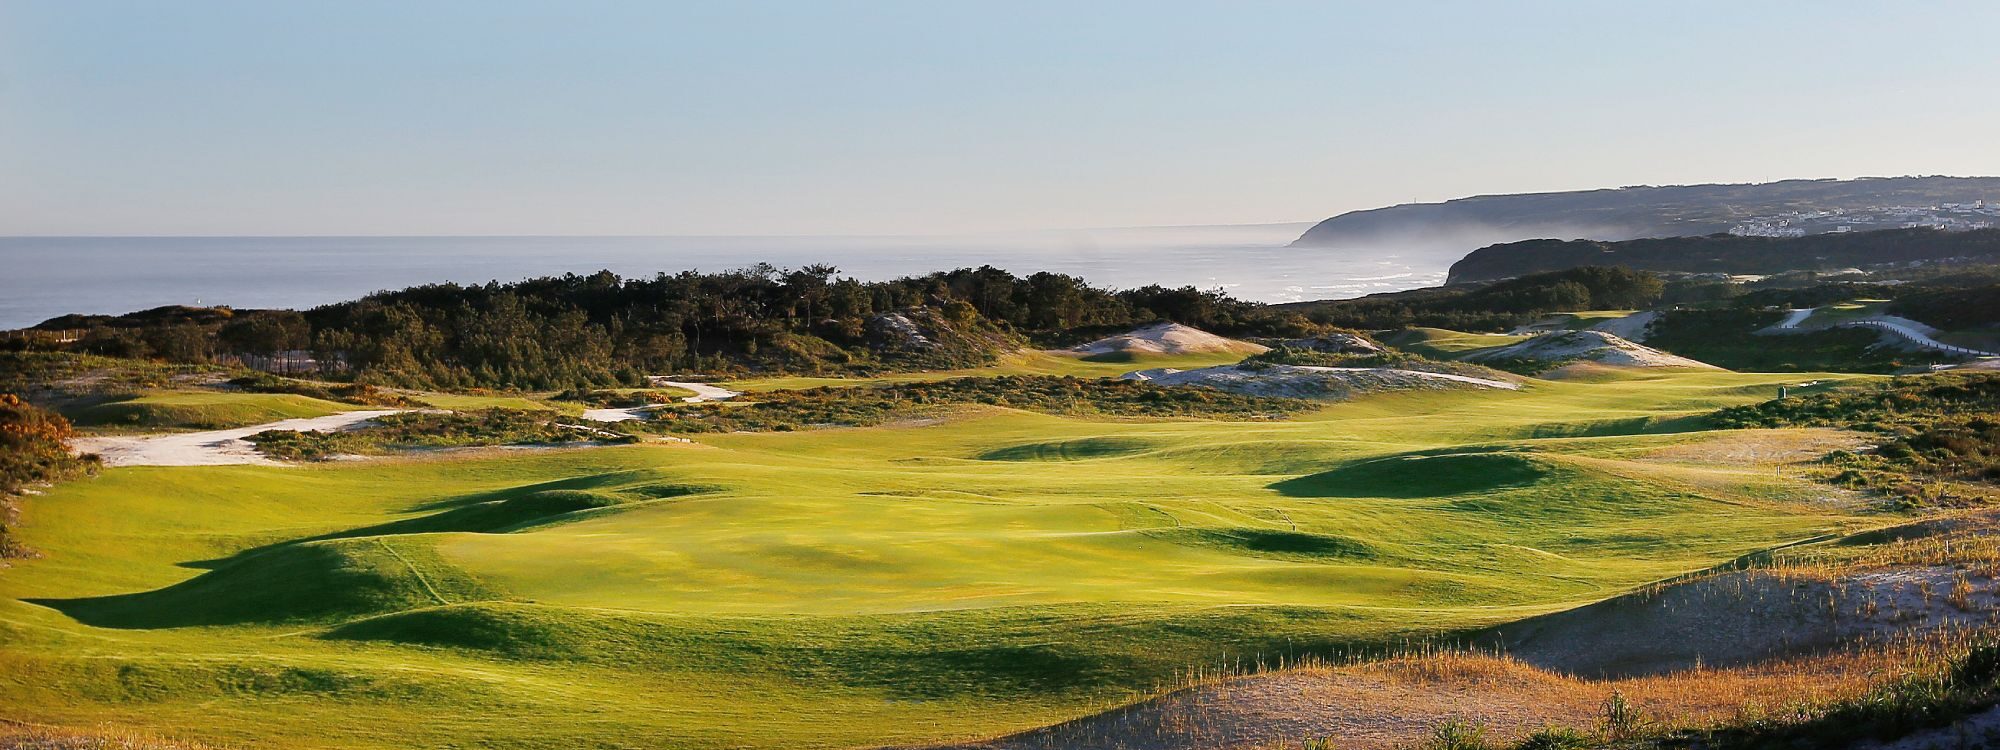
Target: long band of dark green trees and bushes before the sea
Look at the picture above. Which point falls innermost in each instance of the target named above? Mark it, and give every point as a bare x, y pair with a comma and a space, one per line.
605, 331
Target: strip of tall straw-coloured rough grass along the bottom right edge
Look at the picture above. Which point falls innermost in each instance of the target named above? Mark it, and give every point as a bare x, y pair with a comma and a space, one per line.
1477, 701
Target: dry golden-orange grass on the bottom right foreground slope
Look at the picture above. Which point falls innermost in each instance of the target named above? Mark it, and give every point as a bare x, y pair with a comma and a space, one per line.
1401, 701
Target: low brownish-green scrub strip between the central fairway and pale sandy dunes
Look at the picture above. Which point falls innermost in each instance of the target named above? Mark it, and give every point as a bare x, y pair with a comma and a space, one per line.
861, 407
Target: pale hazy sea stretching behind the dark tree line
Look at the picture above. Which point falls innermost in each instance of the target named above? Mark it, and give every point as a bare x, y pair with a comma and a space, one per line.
51, 277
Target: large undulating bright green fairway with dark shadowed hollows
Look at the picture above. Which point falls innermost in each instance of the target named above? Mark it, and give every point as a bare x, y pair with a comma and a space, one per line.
853, 587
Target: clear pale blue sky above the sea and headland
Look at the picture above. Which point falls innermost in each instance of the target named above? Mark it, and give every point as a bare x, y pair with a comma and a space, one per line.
831, 117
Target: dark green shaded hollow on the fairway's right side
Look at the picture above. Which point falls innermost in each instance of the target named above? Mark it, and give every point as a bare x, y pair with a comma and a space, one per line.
1411, 477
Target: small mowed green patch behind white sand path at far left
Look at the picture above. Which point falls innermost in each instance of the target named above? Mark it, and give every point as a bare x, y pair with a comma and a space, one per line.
199, 411
